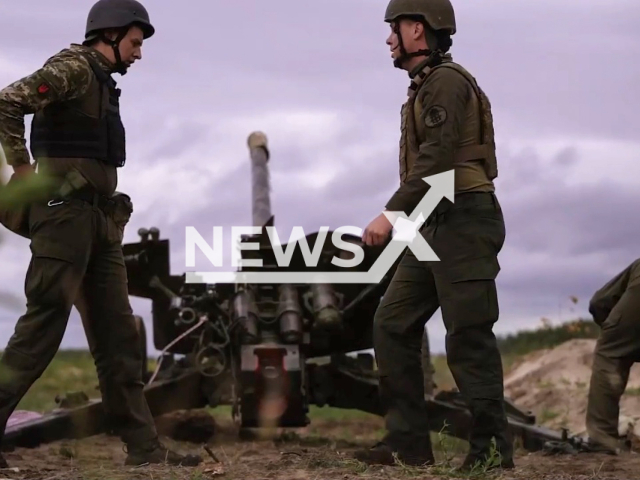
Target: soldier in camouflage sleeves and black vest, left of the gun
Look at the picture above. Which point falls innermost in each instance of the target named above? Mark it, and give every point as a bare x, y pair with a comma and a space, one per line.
76, 233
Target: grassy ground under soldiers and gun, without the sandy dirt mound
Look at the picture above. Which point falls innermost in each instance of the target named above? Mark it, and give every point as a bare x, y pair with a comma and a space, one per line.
319, 451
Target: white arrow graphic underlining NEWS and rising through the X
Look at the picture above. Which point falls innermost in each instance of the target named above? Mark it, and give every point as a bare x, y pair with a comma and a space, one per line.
442, 186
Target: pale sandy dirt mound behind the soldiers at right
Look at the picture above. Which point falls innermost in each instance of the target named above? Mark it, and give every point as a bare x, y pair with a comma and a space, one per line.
554, 385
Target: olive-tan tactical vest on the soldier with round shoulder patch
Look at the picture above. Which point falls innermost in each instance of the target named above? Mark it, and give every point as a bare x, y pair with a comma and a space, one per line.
475, 164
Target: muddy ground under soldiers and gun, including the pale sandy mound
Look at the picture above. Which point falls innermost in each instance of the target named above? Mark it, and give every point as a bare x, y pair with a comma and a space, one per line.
552, 383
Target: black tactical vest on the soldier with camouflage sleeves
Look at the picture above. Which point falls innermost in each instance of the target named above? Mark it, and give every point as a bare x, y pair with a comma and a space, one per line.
86, 127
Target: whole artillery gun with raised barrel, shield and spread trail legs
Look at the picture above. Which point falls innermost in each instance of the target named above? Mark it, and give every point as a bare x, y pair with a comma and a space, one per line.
268, 350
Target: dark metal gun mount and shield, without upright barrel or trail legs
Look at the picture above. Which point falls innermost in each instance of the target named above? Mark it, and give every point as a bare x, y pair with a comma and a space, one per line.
255, 342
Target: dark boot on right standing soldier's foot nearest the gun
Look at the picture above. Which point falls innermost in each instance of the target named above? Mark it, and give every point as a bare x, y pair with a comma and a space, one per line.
416, 453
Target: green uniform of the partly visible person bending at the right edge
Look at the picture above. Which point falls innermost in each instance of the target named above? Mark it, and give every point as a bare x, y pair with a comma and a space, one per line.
616, 308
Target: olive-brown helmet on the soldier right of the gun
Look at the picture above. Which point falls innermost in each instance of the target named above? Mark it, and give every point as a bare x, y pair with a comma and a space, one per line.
438, 14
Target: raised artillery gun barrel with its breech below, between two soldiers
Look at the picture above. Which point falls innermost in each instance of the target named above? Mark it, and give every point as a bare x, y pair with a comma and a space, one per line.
272, 360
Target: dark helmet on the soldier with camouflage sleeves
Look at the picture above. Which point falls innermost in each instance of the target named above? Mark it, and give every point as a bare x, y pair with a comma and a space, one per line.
117, 14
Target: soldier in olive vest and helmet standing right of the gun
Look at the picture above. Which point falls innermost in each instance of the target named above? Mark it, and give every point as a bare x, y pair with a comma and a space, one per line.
446, 125
